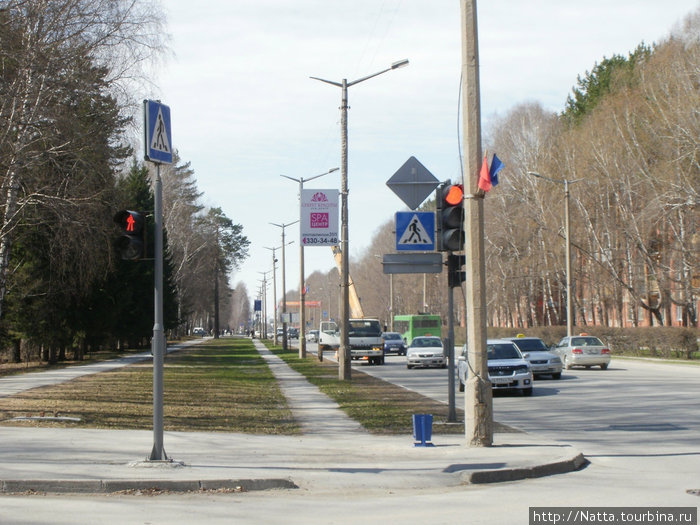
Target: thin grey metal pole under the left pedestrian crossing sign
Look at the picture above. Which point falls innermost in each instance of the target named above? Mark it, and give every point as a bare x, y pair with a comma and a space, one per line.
158, 343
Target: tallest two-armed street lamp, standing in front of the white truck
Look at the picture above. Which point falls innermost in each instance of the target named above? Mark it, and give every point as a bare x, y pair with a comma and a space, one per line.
343, 352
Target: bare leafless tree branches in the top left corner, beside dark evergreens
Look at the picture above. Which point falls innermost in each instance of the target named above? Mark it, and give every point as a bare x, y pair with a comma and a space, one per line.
46, 45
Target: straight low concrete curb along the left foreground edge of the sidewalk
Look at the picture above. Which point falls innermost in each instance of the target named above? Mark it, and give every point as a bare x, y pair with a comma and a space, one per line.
89, 486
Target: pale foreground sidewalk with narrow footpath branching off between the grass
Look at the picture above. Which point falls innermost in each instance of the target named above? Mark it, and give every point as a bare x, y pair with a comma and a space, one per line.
334, 453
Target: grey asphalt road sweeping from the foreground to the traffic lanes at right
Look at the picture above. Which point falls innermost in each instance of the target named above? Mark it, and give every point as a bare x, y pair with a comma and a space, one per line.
585, 406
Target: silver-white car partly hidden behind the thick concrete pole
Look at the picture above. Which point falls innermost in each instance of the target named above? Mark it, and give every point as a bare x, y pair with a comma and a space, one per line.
508, 370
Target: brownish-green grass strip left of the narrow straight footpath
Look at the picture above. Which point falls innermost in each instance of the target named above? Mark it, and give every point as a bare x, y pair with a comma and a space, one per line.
223, 385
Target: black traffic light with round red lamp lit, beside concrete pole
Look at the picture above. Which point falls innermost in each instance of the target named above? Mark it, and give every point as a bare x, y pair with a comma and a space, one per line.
450, 217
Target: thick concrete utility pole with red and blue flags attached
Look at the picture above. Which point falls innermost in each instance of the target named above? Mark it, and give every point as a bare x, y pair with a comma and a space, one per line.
478, 403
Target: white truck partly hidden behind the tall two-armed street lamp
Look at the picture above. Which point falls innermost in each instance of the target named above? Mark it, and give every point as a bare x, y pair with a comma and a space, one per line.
365, 339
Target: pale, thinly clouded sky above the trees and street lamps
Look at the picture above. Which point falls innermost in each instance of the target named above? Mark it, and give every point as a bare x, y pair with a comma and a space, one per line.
245, 111
